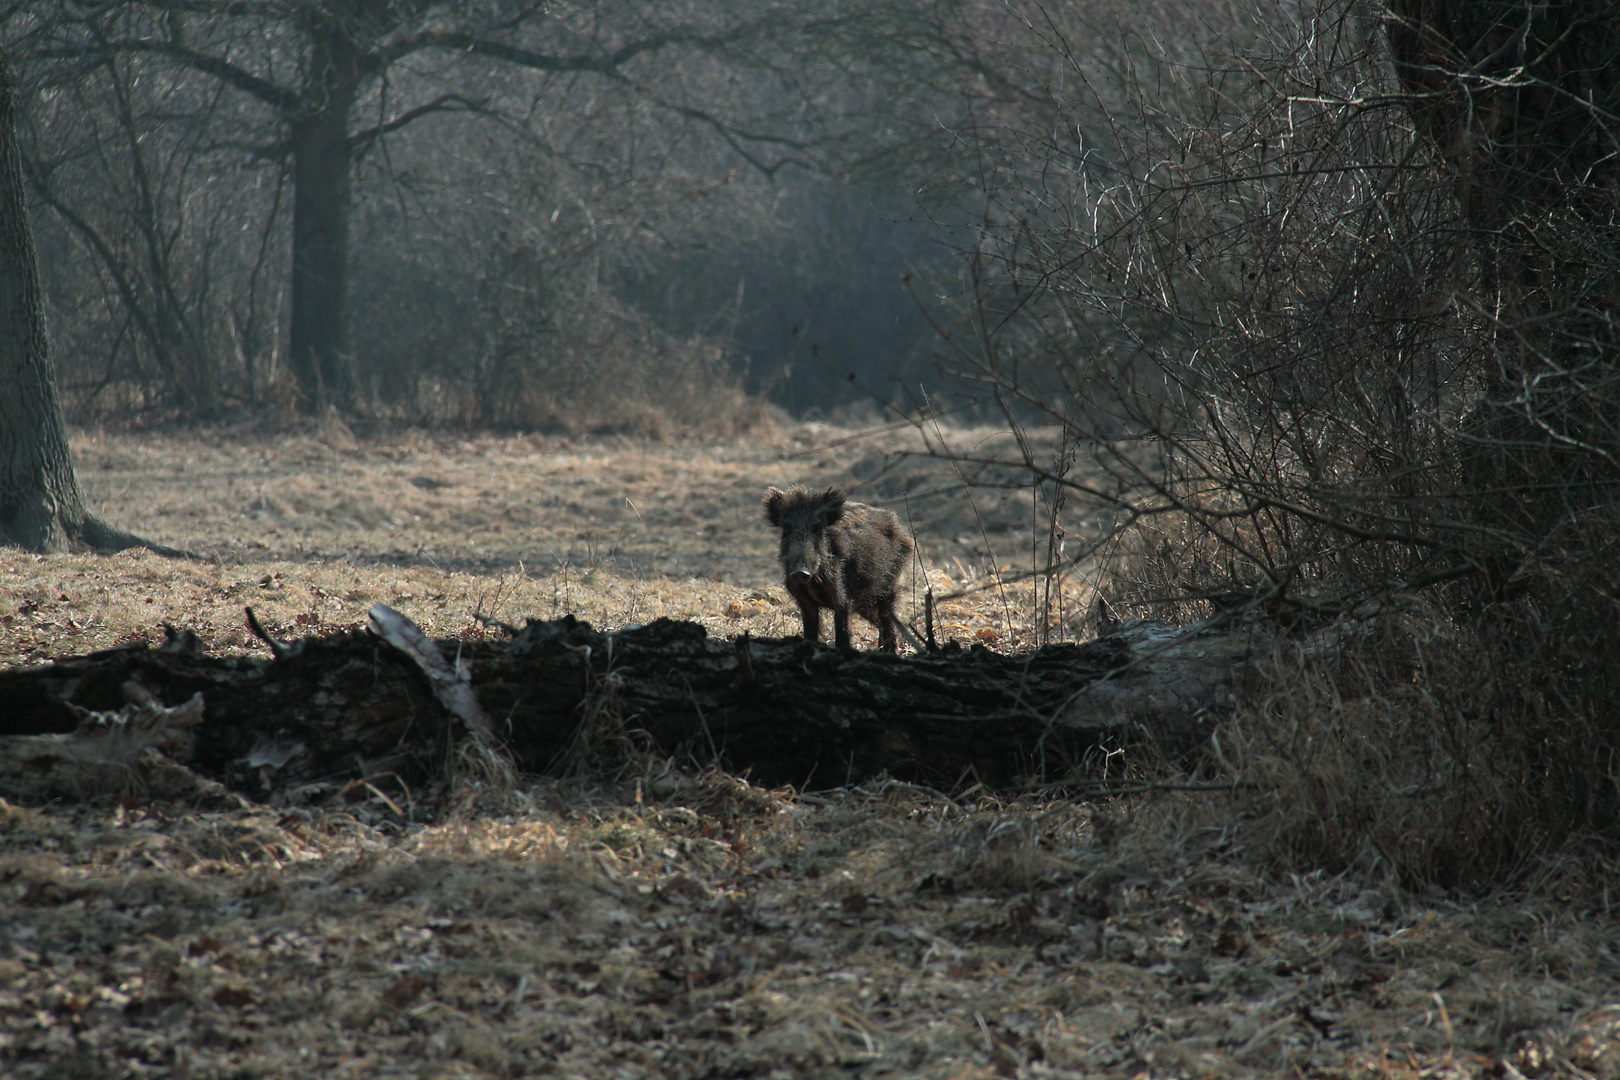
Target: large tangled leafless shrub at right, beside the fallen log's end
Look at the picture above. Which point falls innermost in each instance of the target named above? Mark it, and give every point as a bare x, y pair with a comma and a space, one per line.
1360, 351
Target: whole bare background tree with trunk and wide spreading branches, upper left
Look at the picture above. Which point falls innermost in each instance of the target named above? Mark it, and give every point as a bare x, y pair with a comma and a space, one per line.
315, 66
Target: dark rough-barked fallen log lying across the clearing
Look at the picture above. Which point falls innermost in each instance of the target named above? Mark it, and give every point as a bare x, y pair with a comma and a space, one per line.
561, 694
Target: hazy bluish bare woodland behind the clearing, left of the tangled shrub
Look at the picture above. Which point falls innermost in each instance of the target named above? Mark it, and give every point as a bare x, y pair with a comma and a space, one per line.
485, 213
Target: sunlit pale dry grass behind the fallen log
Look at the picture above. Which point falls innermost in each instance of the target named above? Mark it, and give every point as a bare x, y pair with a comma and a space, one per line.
312, 530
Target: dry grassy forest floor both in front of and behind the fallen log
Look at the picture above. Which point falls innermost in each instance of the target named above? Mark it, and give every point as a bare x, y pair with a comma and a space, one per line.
670, 921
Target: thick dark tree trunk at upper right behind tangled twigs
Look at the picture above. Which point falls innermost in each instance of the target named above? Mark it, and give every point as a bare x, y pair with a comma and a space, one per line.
1520, 100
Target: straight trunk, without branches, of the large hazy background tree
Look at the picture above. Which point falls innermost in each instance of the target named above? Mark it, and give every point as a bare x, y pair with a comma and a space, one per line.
322, 185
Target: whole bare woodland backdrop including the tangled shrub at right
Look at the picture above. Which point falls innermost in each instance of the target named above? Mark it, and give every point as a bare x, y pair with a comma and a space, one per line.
1328, 292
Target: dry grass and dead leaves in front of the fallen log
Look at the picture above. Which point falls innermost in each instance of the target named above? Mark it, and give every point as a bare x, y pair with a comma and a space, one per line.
704, 927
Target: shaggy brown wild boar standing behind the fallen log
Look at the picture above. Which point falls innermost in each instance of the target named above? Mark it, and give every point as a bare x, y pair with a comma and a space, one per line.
840, 555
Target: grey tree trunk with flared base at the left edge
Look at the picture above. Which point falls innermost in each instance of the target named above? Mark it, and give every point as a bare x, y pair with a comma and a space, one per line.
41, 508
